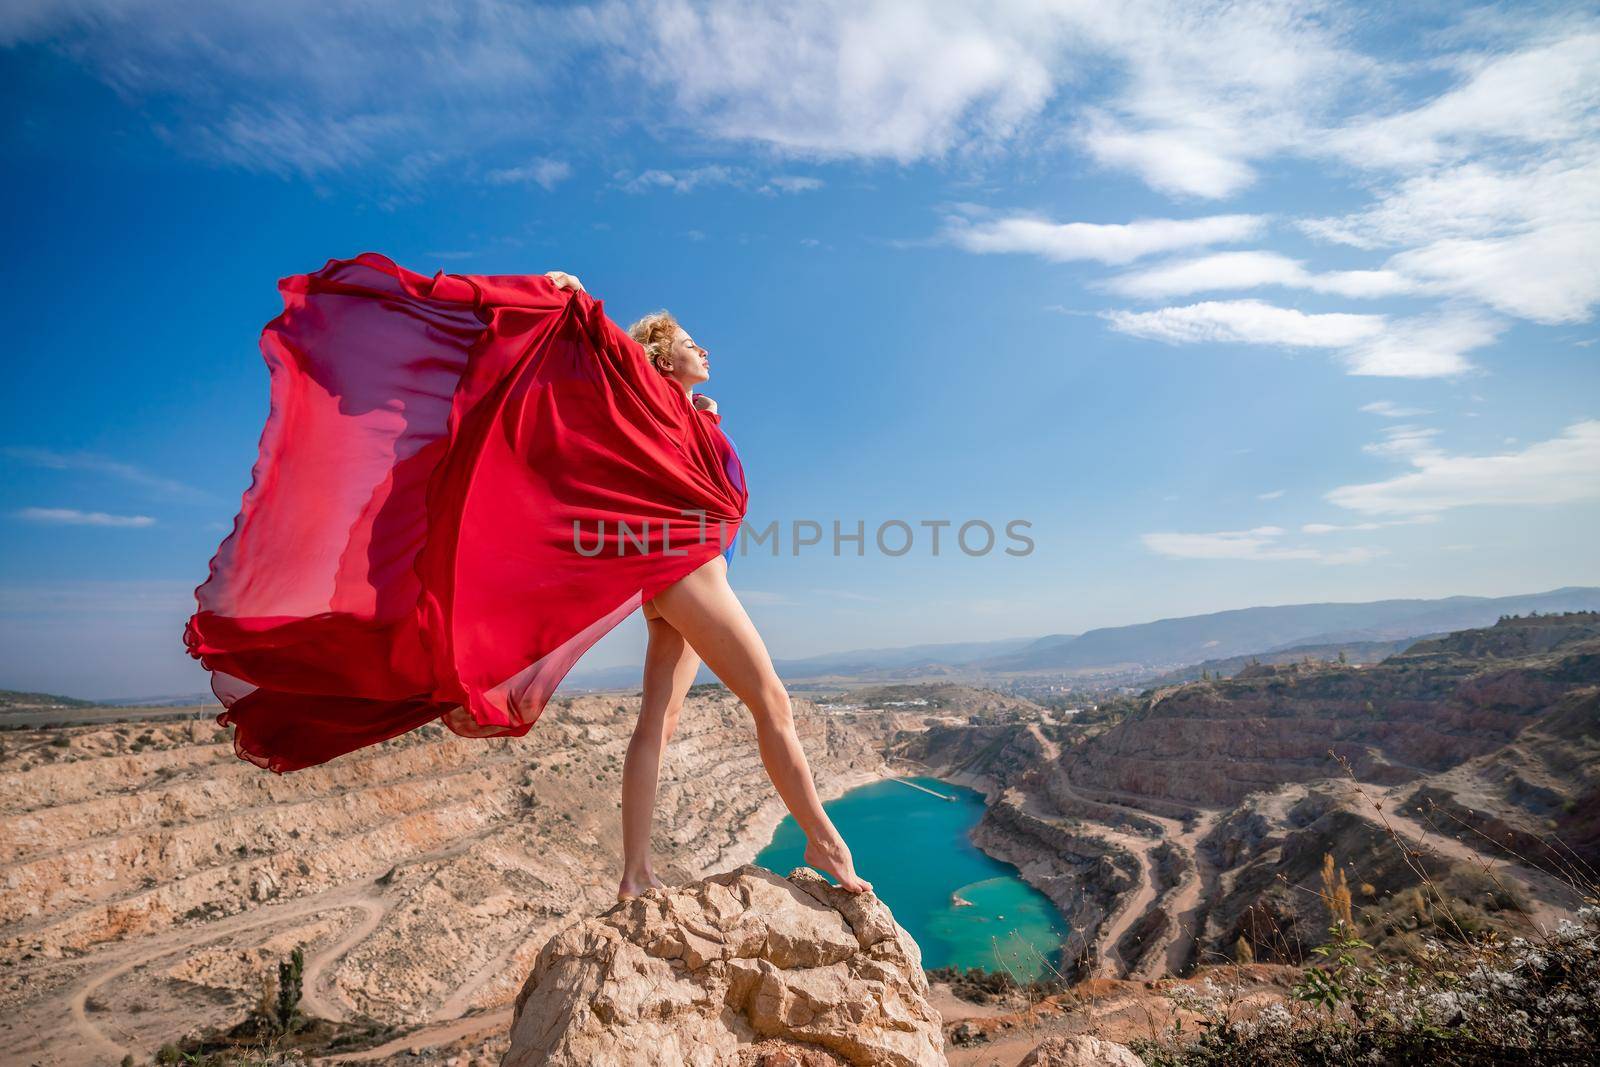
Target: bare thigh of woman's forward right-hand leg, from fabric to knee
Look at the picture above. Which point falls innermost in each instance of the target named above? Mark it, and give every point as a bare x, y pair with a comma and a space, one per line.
706, 612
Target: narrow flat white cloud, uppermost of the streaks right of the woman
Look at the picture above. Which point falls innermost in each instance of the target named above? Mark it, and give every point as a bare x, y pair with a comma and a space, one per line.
1103, 242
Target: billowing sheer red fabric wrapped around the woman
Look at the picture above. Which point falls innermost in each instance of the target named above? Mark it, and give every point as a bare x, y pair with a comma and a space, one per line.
407, 546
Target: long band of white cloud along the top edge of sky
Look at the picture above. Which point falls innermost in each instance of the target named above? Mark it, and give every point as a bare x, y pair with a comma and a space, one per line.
833, 79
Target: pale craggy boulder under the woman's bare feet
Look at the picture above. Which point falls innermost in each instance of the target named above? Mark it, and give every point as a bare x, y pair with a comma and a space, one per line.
738, 969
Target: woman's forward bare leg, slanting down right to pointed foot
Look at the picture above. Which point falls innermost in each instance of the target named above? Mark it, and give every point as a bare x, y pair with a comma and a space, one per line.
710, 617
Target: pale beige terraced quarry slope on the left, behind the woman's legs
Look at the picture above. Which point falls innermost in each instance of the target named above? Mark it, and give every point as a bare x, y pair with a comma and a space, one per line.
153, 879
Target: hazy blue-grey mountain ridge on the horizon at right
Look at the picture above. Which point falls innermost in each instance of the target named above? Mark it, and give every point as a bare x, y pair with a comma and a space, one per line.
1225, 634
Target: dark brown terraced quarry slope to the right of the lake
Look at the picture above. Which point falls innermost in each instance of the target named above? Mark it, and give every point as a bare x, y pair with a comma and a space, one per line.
1204, 817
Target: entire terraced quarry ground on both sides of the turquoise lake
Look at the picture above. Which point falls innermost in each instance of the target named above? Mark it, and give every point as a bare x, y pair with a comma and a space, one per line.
153, 882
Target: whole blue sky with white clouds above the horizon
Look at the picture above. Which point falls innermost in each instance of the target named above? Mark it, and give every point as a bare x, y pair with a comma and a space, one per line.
1236, 305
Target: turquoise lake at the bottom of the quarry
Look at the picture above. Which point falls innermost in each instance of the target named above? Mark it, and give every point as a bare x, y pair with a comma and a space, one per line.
914, 852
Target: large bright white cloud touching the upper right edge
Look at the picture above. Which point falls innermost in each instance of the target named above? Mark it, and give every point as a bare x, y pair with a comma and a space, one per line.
1497, 193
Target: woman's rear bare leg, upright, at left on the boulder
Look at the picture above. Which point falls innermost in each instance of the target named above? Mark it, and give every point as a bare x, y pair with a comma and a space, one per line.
670, 671
